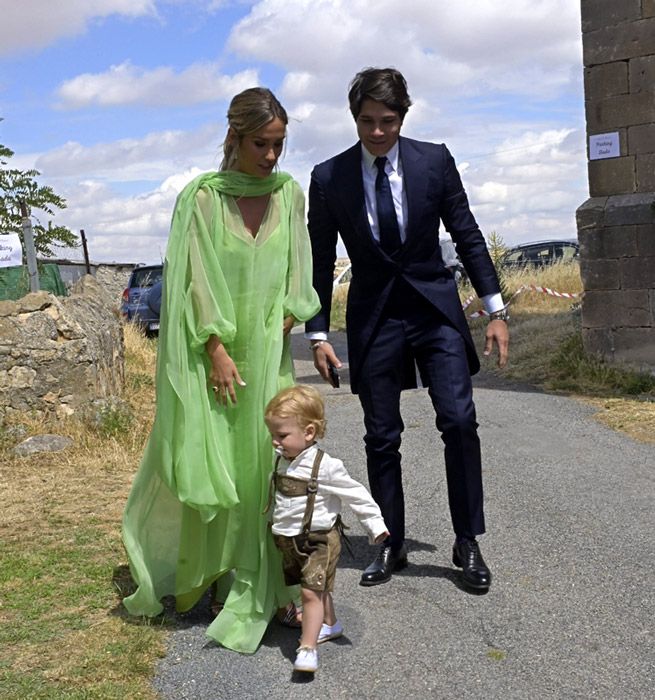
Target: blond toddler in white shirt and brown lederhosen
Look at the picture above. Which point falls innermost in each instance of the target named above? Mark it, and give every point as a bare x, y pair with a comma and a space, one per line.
310, 487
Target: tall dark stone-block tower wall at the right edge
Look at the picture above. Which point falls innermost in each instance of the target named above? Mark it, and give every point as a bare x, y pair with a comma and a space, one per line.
616, 226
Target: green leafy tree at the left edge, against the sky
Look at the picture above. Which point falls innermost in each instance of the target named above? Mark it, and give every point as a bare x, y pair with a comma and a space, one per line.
20, 185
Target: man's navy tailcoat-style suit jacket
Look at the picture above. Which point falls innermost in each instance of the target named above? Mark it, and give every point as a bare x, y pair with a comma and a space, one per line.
434, 193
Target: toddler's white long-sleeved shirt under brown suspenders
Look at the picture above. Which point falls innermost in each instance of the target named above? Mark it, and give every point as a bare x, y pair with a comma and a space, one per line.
335, 487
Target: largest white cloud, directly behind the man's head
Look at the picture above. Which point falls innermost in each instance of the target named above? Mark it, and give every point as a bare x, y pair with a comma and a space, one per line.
465, 64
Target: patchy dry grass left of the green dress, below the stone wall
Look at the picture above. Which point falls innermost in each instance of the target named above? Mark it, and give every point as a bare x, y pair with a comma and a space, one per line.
62, 629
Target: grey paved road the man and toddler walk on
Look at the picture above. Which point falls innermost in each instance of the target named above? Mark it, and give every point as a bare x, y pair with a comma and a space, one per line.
571, 610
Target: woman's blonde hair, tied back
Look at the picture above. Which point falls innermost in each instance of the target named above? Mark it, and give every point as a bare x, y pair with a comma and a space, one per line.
249, 111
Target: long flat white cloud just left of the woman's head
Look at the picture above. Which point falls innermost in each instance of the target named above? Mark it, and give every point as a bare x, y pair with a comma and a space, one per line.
126, 84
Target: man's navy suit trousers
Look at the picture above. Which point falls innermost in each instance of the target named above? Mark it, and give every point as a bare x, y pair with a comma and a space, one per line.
411, 321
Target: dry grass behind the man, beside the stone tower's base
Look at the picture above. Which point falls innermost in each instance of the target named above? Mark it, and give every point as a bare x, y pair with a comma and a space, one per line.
546, 349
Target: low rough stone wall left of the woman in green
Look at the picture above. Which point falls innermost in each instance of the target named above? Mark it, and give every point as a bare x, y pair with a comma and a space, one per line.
60, 353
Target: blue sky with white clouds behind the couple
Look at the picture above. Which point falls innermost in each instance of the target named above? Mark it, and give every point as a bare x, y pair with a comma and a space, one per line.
119, 103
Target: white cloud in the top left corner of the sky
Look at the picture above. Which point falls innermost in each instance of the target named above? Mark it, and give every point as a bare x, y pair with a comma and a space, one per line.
33, 24
